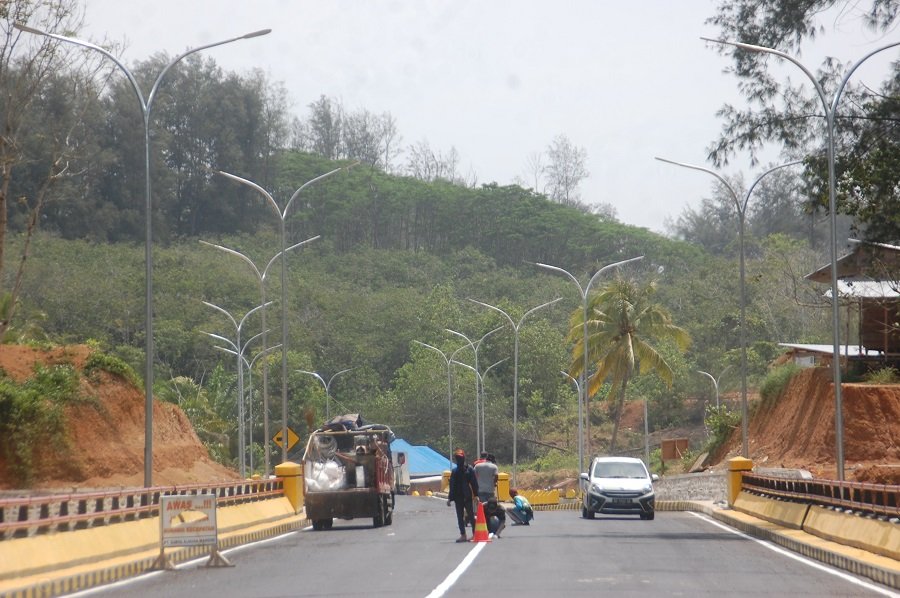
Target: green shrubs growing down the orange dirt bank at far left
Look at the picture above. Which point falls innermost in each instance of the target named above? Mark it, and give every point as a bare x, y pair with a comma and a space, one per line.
31, 414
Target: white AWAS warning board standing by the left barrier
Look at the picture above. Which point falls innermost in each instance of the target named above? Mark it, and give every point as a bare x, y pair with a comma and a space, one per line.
188, 520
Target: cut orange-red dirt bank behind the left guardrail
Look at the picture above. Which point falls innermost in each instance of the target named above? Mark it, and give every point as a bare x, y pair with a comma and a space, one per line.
105, 446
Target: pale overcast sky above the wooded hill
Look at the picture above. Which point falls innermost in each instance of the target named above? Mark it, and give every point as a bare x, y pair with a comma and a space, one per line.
497, 80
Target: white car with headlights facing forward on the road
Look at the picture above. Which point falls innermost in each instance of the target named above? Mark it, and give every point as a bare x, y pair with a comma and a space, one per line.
618, 486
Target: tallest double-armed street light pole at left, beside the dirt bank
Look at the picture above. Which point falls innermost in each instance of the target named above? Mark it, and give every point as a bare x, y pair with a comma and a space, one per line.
146, 106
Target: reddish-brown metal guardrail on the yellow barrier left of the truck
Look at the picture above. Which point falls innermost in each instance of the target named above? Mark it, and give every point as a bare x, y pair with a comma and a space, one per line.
22, 517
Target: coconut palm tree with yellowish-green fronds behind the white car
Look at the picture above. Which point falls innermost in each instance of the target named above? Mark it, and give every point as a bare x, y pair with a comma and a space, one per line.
623, 325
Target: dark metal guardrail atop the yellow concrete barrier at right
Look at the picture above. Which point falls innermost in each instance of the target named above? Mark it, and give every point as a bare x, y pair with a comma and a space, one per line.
878, 499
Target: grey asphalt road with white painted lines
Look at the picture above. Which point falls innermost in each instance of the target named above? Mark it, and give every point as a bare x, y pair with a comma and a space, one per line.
677, 554
